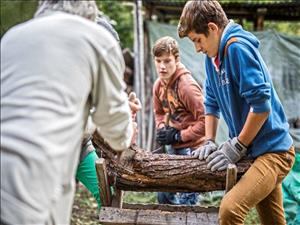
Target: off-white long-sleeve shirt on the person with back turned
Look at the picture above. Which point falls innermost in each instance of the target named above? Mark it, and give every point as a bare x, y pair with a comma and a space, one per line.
54, 69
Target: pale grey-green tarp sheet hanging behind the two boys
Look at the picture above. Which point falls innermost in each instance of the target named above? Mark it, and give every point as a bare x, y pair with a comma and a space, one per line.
280, 52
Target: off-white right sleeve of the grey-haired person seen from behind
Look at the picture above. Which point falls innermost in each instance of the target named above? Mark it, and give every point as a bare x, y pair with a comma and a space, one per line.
112, 114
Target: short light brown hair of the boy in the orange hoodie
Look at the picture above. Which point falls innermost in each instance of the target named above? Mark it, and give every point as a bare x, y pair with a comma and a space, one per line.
165, 45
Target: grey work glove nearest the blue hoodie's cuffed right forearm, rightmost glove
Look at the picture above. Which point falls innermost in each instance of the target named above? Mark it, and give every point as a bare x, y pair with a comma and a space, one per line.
230, 151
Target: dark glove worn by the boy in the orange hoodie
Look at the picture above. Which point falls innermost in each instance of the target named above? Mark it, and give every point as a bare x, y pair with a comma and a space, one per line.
168, 136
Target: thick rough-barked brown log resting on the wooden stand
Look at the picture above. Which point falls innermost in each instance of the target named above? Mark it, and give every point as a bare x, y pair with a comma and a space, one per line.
162, 172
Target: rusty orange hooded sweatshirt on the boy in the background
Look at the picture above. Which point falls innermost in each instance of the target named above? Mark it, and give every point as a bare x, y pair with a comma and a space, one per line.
181, 99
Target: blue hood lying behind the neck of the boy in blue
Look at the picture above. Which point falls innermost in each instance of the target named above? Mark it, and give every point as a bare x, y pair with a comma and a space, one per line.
233, 30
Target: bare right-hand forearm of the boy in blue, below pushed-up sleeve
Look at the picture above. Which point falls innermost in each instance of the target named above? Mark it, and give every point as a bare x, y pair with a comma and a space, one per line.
252, 126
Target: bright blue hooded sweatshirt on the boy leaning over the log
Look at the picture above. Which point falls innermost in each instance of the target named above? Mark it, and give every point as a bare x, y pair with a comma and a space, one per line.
242, 84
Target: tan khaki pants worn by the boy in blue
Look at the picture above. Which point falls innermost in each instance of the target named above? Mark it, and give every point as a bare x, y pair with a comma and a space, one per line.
261, 187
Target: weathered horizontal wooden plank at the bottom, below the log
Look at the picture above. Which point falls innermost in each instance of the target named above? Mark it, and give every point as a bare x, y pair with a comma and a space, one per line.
115, 216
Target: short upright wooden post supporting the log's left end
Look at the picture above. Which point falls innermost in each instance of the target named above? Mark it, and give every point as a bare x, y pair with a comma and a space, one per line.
104, 189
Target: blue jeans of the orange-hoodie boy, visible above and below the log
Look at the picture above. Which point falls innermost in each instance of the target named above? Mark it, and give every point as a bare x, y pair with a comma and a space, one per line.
177, 198
